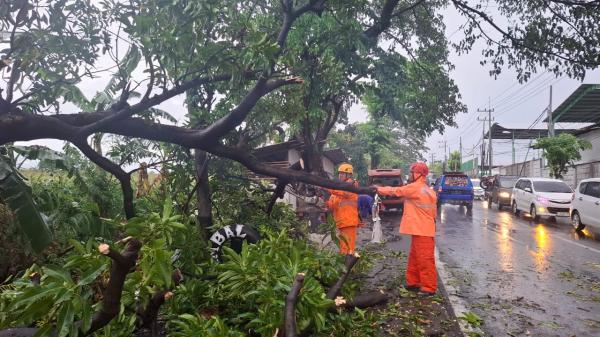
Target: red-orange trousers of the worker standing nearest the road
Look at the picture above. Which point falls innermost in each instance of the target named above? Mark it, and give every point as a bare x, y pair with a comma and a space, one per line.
421, 270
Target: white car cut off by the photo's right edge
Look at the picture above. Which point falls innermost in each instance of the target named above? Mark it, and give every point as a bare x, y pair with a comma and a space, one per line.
585, 208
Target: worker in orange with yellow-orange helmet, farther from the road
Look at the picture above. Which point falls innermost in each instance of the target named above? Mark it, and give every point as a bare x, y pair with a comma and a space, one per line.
344, 206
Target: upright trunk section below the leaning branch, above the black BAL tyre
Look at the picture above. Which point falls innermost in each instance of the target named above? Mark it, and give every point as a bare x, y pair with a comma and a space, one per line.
203, 193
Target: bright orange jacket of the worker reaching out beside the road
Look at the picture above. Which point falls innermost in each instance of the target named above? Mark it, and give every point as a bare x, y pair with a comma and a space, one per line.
420, 207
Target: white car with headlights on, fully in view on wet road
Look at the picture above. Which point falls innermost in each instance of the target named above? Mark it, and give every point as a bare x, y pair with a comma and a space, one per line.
541, 197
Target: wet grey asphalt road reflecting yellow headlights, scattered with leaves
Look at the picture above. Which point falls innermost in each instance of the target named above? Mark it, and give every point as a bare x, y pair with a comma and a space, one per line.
524, 278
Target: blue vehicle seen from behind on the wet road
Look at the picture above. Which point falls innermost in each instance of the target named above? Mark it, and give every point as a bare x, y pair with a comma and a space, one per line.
454, 188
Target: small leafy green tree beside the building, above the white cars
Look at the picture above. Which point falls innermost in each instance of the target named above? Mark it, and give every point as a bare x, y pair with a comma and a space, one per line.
561, 151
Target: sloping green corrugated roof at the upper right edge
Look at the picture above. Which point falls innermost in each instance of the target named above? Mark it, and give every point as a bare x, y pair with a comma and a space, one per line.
583, 106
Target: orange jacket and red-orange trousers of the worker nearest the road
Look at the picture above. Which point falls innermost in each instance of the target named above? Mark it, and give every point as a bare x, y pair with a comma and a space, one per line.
418, 220
